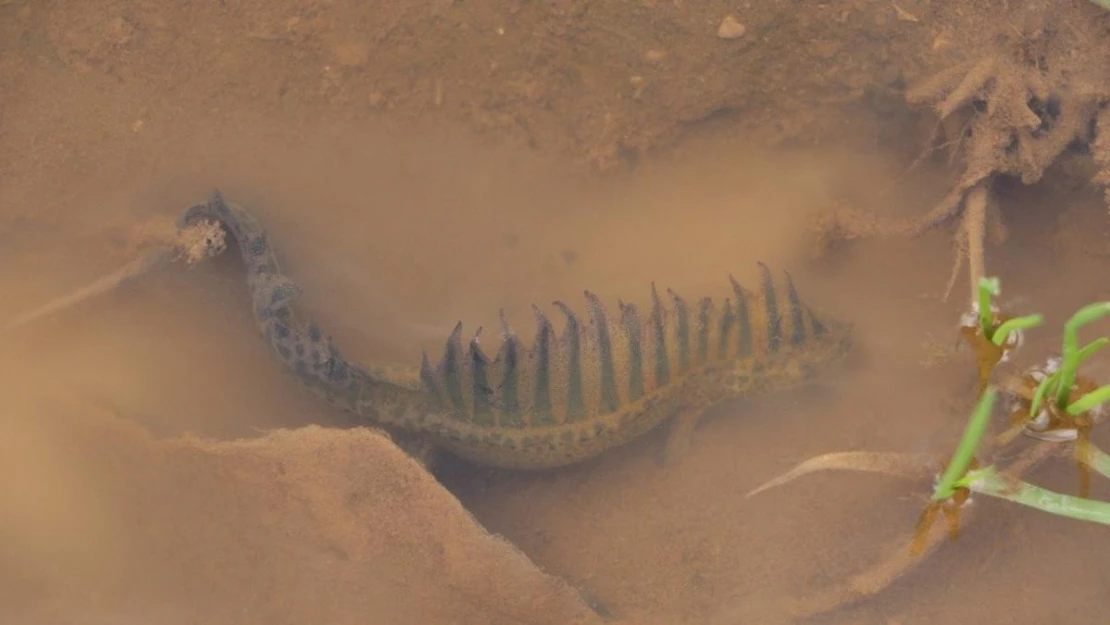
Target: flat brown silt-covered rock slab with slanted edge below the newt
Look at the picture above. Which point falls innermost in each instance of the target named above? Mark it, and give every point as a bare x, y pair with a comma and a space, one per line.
296, 527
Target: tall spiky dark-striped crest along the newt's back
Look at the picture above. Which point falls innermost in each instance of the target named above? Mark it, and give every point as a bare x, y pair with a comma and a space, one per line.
597, 367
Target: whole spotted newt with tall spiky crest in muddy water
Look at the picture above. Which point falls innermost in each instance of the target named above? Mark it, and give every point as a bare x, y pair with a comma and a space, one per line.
600, 384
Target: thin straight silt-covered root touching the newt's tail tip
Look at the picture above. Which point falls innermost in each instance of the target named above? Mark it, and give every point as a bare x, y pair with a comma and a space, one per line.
191, 245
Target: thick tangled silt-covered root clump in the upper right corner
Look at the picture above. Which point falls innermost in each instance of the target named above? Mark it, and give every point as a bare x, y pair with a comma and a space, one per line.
1011, 113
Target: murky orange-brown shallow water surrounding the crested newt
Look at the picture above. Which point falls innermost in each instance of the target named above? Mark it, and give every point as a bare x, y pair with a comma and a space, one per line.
397, 234
